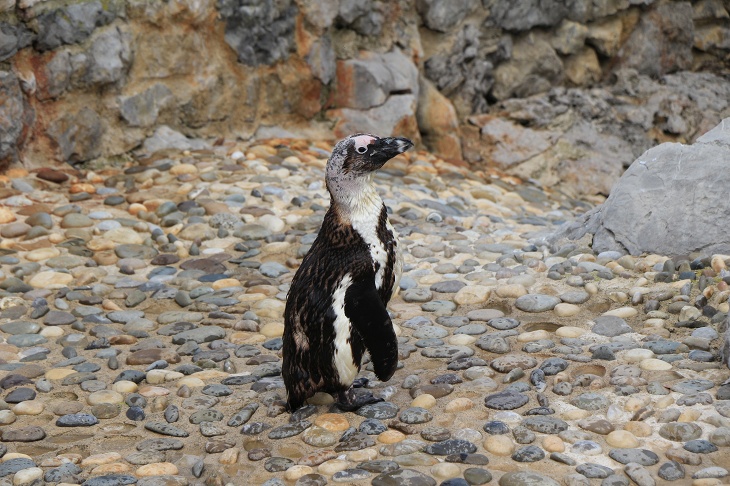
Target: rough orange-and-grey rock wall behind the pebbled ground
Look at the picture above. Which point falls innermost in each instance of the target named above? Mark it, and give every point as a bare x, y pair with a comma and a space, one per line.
87, 79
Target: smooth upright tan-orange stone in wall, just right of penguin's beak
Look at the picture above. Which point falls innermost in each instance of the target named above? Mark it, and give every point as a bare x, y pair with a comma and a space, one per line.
438, 122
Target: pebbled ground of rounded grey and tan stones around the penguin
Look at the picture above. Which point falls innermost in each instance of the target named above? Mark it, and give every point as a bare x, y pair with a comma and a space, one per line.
141, 315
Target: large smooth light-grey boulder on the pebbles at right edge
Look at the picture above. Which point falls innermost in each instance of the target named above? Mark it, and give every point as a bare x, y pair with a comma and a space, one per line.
671, 201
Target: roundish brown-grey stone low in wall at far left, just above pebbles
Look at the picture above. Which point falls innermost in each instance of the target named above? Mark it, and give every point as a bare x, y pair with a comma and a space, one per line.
78, 136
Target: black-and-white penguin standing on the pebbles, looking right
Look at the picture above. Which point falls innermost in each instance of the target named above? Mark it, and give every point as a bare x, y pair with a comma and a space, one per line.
336, 305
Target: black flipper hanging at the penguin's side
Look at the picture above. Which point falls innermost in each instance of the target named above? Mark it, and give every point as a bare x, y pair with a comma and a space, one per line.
366, 311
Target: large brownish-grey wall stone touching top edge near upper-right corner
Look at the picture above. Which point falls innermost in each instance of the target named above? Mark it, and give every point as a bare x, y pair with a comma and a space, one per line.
662, 41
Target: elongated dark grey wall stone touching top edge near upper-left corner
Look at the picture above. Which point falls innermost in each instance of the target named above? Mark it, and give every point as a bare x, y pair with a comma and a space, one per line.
74, 23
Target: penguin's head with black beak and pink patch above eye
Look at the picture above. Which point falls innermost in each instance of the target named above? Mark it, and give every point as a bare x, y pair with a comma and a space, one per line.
356, 157
